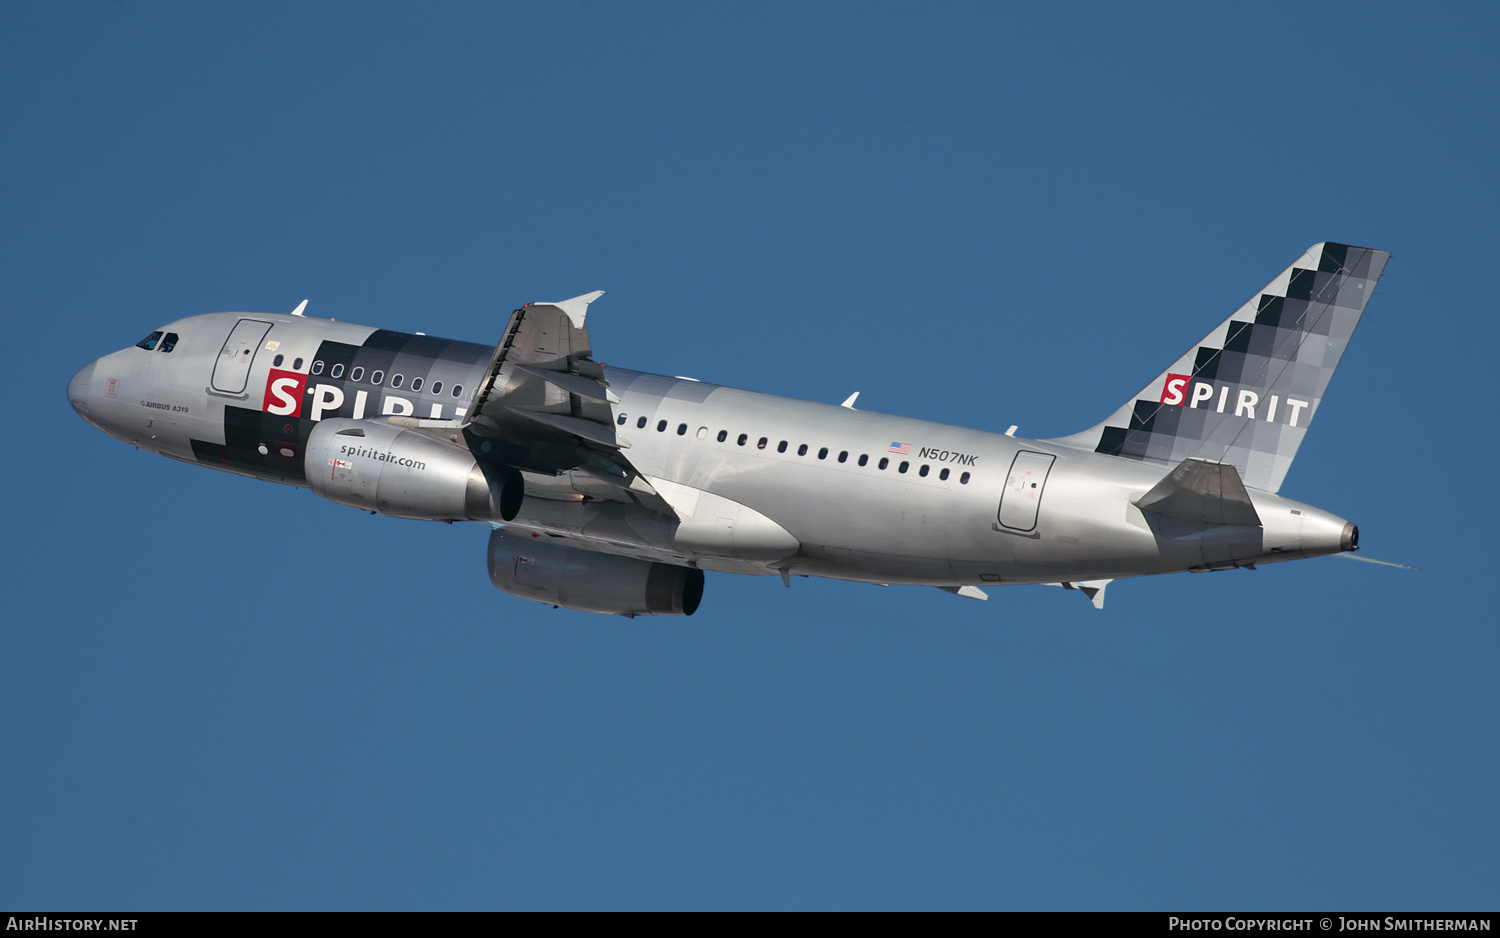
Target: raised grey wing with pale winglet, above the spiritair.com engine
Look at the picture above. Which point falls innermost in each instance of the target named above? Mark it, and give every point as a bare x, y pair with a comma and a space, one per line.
545, 404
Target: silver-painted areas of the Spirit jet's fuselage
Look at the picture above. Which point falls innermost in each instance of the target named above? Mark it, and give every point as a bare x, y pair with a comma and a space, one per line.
851, 522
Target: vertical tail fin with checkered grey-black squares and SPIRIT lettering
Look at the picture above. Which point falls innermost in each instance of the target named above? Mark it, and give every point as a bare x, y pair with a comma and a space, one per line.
1247, 394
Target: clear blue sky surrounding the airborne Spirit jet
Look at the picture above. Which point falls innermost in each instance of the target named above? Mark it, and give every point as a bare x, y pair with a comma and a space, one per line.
224, 694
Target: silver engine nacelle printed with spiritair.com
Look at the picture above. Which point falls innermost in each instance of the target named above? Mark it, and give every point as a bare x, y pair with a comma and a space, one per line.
394, 471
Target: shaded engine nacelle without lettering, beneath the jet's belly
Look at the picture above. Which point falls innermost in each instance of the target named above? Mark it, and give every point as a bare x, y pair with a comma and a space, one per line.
590, 582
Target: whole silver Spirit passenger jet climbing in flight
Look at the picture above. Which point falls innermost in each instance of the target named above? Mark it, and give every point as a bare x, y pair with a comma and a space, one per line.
613, 492
